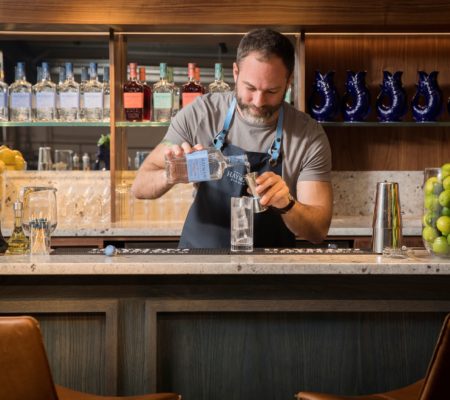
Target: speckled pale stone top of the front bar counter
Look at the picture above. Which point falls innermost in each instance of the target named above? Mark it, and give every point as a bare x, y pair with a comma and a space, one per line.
417, 262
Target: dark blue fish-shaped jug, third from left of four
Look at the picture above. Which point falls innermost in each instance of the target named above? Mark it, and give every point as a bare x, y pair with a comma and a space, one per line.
391, 102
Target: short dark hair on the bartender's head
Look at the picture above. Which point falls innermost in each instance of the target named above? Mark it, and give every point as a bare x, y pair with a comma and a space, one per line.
268, 43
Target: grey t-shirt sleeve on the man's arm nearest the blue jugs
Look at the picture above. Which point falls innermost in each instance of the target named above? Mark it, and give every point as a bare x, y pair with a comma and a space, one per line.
316, 165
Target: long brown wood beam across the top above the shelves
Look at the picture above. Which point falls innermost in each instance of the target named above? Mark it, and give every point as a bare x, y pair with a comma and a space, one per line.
383, 13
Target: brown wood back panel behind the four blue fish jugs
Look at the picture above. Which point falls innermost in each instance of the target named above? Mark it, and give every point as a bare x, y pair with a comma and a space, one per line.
384, 148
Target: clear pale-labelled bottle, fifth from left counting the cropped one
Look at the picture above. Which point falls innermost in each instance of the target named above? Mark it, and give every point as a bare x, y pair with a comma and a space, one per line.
93, 96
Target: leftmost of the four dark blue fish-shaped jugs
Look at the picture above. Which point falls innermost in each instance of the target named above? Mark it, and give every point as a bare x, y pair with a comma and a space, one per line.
324, 100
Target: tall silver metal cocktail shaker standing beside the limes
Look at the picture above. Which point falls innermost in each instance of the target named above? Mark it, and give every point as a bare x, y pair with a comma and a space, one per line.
387, 219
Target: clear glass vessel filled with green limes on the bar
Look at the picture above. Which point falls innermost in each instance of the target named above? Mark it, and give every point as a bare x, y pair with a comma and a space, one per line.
436, 215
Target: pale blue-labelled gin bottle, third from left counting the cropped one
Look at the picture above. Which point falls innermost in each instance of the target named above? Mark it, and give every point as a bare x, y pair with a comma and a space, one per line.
44, 93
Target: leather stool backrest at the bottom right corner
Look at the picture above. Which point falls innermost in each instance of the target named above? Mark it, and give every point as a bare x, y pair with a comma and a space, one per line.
436, 385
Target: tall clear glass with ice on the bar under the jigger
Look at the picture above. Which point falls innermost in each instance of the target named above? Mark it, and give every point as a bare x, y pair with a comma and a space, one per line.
241, 224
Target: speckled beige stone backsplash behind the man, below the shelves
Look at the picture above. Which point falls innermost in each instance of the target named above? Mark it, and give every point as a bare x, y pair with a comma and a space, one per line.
84, 197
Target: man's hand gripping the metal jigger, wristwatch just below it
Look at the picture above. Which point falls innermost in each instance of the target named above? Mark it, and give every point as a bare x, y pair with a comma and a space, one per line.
273, 190
